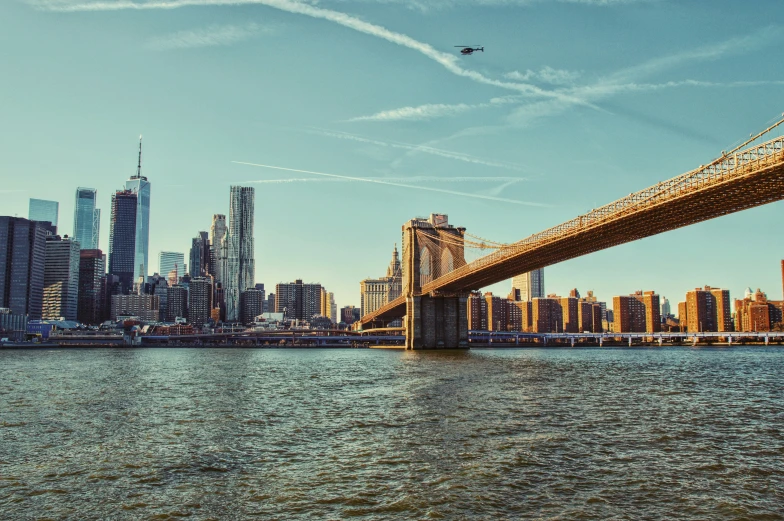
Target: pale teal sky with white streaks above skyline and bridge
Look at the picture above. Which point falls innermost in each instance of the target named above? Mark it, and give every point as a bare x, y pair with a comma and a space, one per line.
573, 104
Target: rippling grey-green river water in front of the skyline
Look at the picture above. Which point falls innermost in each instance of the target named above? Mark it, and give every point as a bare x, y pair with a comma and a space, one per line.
371, 434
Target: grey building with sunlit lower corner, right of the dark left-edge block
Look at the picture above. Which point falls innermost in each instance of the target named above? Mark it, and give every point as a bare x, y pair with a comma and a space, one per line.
61, 279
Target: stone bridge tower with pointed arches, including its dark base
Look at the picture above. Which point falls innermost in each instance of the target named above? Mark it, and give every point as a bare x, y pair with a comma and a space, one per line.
436, 320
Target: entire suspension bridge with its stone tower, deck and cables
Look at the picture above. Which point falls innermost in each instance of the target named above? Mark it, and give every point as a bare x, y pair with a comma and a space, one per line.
437, 279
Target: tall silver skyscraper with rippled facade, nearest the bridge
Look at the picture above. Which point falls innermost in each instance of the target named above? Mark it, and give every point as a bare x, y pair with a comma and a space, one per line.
241, 264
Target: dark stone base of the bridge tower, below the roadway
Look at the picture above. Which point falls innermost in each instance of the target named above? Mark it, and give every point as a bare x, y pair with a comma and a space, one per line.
437, 322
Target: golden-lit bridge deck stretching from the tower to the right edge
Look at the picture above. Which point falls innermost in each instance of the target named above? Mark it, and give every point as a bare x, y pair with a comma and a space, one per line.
740, 179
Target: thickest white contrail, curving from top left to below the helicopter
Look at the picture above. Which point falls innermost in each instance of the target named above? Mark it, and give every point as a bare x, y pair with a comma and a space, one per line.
449, 61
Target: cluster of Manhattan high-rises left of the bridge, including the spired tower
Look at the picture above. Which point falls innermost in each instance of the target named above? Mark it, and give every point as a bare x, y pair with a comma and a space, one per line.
45, 276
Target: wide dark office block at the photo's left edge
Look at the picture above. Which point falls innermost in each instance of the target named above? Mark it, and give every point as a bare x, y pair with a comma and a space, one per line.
22, 259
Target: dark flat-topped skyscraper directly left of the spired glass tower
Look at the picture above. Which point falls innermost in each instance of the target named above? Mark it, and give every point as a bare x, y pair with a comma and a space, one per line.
122, 238
